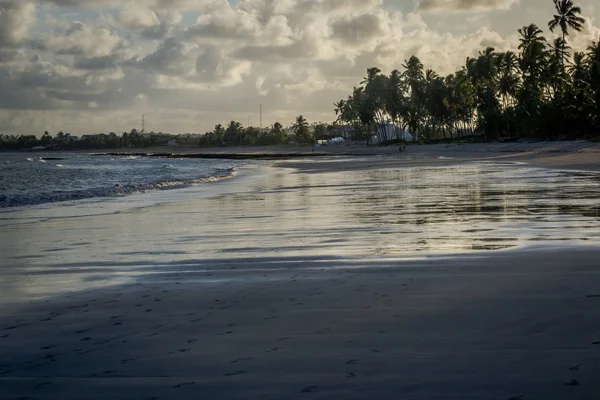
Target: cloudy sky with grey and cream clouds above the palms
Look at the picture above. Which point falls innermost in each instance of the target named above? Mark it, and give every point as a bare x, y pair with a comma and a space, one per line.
86, 66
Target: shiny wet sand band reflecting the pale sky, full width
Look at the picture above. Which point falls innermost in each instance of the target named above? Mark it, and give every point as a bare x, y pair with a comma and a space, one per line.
289, 219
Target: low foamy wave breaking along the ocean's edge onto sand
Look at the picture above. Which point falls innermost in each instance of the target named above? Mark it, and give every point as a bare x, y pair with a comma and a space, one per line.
113, 191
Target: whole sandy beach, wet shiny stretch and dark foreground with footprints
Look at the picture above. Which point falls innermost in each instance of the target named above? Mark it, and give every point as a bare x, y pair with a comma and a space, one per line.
445, 272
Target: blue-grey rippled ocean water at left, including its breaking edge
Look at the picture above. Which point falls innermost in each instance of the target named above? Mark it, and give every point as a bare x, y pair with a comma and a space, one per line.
39, 178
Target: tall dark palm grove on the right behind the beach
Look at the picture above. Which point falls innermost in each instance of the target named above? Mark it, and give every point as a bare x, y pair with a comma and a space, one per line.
542, 90
